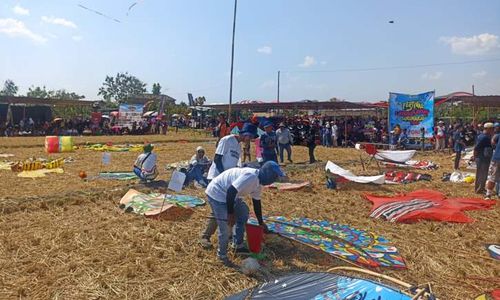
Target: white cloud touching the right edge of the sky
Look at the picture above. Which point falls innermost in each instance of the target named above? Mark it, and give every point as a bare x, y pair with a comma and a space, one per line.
475, 45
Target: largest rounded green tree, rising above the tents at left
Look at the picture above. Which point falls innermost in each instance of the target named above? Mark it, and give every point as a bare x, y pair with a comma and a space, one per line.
121, 87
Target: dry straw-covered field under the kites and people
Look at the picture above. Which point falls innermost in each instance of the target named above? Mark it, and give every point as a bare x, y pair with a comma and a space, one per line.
65, 238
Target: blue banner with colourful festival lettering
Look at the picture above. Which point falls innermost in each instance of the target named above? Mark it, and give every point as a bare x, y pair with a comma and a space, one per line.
412, 112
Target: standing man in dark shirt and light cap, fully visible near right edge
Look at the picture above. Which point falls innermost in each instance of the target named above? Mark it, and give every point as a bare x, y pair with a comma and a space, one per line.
483, 152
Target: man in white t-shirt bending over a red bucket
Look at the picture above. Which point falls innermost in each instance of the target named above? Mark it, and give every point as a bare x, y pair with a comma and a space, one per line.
225, 195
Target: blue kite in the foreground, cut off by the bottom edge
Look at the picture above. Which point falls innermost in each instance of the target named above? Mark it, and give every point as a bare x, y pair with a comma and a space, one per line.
320, 286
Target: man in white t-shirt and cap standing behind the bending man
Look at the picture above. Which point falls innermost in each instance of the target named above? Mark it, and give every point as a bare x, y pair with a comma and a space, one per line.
227, 156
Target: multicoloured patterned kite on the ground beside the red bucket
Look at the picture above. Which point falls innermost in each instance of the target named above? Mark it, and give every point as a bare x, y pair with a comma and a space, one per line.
342, 241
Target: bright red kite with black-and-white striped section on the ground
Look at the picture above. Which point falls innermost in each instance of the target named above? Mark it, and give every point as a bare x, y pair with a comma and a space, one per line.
425, 205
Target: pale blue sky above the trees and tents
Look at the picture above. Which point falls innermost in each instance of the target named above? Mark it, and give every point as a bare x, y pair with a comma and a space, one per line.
323, 48
